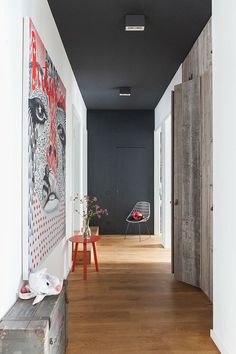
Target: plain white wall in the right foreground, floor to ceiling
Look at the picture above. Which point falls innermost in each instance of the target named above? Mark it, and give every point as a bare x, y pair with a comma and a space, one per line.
224, 119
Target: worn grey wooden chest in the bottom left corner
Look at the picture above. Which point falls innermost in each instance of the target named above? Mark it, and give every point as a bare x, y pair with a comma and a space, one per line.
39, 329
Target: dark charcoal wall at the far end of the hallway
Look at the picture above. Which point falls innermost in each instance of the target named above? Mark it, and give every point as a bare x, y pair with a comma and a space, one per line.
120, 164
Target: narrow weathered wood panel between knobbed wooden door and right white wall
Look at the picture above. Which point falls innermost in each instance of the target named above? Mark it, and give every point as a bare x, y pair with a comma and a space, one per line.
206, 276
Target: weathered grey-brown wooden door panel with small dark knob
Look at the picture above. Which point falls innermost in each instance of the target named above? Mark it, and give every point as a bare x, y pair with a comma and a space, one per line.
186, 181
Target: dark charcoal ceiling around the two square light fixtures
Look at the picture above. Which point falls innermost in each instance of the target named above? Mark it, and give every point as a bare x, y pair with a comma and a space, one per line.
105, 57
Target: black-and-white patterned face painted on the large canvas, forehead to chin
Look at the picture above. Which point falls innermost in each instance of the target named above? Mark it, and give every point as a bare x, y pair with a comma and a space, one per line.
47, 145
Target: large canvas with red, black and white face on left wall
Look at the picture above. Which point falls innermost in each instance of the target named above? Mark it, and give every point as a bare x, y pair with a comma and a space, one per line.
46, 153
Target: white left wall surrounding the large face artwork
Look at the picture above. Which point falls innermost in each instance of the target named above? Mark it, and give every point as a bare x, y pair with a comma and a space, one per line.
11, 37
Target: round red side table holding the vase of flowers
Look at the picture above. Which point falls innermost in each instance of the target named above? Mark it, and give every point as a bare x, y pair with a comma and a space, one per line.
76, 239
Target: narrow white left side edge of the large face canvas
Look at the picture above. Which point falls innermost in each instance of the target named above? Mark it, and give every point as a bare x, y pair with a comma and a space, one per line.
25, 144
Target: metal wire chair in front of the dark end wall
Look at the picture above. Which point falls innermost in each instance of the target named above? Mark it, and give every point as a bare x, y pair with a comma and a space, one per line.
144, 209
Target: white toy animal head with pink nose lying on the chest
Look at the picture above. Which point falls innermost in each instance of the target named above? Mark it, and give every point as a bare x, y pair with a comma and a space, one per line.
40, 284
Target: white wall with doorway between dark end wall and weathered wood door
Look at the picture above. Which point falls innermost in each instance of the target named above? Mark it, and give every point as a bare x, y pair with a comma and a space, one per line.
162, 114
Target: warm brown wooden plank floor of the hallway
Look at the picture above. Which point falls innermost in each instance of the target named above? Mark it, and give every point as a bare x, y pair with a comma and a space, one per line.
133, 305
